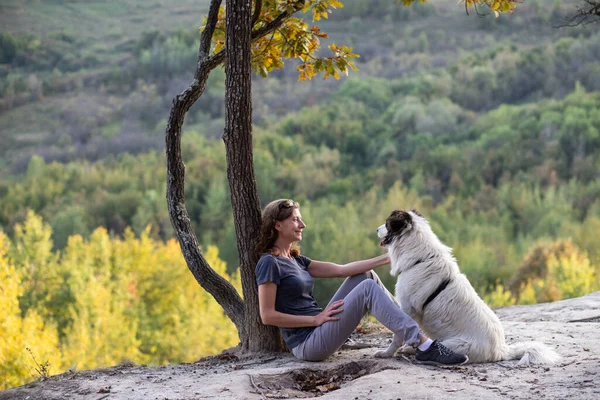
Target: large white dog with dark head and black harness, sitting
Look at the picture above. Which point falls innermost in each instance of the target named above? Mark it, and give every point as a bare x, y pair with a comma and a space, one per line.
433, 291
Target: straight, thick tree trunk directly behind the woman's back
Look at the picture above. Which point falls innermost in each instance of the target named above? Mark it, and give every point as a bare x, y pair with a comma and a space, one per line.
240, 169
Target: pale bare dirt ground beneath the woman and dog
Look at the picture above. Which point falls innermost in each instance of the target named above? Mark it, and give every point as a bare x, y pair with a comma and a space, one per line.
570, 326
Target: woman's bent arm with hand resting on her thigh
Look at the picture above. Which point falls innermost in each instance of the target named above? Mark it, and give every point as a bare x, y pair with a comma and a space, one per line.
268, 315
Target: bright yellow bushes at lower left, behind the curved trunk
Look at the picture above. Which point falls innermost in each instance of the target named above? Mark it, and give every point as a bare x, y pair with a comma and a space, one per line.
100, 302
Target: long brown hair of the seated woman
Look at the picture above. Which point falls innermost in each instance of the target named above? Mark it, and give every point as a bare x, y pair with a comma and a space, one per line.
277, 210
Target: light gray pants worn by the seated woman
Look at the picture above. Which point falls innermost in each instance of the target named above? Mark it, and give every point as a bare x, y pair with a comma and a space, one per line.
361, 293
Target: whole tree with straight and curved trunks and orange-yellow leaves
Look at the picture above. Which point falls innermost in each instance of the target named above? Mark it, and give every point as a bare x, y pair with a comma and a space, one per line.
259, 40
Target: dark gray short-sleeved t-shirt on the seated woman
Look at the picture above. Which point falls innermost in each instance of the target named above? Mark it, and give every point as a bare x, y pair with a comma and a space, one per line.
294, 291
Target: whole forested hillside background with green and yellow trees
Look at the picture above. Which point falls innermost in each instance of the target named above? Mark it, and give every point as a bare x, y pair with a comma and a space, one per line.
489, 126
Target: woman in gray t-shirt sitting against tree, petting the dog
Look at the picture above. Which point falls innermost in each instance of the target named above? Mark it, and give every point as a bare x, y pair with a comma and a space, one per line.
285, 284
